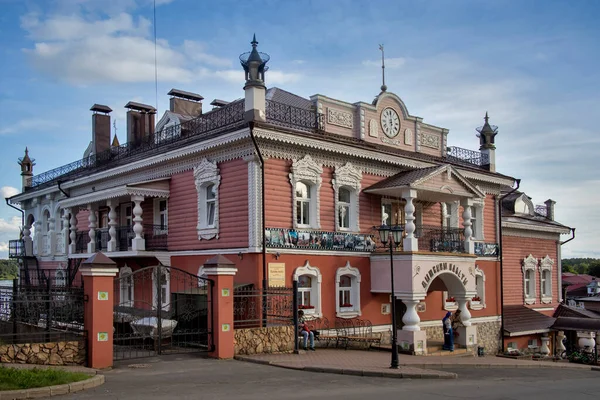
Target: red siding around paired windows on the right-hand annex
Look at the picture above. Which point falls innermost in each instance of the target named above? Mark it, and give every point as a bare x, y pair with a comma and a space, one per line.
515, 250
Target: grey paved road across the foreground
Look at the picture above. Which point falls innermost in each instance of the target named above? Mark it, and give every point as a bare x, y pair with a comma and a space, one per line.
184, 378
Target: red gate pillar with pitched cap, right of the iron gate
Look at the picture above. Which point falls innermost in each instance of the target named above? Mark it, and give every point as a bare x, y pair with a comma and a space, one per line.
220, 312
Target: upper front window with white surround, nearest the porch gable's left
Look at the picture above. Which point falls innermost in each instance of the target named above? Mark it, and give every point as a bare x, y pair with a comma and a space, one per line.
346, 186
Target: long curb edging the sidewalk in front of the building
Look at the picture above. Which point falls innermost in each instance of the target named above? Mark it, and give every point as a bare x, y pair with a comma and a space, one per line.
356, 372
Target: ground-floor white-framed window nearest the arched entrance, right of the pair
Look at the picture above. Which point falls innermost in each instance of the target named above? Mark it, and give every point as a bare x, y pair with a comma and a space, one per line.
347, 281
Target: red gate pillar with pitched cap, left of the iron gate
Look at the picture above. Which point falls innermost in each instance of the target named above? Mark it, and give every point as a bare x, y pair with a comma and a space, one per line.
98, 274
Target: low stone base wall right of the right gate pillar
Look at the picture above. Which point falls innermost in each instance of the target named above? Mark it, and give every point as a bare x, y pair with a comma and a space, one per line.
276, 339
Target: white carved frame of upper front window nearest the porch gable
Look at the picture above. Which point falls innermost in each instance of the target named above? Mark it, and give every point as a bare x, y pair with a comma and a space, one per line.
347, 177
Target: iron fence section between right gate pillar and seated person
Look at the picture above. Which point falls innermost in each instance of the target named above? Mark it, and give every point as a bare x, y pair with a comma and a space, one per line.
253, 308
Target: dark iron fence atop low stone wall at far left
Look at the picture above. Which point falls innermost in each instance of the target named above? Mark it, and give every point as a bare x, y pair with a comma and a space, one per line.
41, 313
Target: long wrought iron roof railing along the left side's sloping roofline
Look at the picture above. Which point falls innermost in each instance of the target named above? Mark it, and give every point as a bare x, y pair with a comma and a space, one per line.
167, 139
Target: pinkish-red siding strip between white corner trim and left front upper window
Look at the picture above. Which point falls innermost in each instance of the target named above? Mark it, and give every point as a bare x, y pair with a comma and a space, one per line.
278, 194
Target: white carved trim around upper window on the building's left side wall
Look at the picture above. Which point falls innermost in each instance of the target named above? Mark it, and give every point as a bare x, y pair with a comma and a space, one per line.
205, 174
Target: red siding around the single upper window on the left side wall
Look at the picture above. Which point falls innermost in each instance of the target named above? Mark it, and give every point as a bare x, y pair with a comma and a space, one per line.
233, 209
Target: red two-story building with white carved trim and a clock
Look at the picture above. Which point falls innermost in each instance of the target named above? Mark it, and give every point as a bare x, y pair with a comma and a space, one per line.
292, 188
